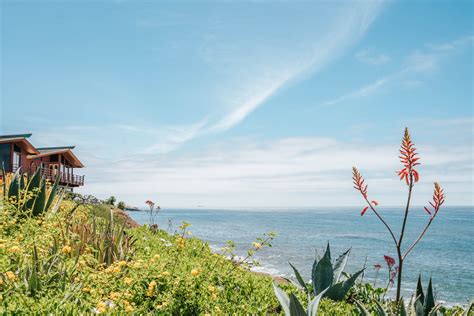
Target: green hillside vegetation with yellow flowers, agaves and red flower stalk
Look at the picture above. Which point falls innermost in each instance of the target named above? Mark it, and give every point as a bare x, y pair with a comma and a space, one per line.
64, 253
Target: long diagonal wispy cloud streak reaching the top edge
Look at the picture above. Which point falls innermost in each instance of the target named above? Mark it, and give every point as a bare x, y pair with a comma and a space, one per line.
292, 65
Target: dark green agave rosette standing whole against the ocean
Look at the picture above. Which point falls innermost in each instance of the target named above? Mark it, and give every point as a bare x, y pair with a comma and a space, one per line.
327, 278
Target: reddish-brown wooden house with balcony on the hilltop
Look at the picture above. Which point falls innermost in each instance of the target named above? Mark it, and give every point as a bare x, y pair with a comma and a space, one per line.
17, 152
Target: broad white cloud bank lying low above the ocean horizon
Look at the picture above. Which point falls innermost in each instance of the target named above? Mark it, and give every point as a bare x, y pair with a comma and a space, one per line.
285, 172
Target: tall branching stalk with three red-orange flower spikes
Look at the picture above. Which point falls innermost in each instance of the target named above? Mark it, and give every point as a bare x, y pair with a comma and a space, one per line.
409, 159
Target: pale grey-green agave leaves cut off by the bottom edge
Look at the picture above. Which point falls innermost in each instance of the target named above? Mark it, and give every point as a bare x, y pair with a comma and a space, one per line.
293, 307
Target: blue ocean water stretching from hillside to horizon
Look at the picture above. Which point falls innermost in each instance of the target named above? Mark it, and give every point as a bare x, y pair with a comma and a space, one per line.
446, 252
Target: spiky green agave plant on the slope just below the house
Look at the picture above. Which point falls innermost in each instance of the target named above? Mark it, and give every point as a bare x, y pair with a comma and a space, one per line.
31, 196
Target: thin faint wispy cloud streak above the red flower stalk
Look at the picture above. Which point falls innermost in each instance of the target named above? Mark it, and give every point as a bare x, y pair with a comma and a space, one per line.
416, 63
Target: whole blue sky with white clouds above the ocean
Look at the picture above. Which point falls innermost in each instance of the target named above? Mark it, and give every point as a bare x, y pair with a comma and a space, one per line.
234, 104
